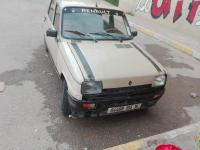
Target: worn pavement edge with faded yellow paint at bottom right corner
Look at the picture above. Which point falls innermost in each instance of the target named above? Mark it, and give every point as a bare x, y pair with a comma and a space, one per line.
183, 137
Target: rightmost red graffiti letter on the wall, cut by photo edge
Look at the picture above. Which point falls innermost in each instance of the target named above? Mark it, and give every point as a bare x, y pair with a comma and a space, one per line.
193, 10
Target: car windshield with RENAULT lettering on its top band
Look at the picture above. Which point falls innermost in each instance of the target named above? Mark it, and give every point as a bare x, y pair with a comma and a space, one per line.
94, 24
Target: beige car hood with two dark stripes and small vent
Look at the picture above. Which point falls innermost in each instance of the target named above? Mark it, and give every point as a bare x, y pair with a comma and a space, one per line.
116, 64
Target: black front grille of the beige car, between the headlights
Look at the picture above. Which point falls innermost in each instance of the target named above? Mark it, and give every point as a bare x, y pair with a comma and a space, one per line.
143, 92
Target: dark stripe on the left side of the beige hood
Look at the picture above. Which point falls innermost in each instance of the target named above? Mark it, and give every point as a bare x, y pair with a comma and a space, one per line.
84, 62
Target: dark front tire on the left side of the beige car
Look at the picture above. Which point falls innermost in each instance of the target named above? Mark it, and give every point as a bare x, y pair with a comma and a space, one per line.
65, 102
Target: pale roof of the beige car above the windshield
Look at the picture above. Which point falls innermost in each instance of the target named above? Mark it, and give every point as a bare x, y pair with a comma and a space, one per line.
82, 3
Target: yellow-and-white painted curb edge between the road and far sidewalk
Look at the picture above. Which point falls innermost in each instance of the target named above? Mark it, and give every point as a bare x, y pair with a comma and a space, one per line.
173, 43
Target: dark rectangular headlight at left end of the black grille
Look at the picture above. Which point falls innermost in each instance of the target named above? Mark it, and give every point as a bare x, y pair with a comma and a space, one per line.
91, 87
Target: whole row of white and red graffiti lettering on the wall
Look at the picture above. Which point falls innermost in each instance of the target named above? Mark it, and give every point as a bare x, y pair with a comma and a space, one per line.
165, 7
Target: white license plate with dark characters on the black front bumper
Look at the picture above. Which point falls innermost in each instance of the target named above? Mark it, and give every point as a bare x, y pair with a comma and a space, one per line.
124, 108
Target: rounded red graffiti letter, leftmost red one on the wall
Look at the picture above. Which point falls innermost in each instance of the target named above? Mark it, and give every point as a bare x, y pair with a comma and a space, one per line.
164, 9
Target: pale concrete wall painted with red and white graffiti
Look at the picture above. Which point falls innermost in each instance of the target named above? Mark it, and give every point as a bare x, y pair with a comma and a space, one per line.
184, 17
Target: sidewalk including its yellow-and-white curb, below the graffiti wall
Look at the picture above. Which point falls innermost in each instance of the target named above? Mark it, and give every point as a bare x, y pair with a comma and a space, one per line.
185, 43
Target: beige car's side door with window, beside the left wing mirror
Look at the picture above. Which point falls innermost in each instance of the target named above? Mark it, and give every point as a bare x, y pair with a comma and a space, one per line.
53, 22
